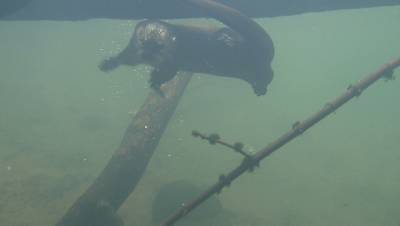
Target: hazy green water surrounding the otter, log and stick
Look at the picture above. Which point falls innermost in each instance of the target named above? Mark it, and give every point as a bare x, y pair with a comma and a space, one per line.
61, 118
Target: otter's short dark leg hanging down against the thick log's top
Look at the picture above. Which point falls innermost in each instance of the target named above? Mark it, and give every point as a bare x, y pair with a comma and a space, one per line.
161, 75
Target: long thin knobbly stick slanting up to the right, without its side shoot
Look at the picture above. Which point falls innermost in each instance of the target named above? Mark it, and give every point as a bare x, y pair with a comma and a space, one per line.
297, 129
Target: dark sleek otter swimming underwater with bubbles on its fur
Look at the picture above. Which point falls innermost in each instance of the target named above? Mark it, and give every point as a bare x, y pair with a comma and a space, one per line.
242, 49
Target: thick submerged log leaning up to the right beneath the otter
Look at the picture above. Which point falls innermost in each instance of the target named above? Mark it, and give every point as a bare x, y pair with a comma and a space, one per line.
98, 205
